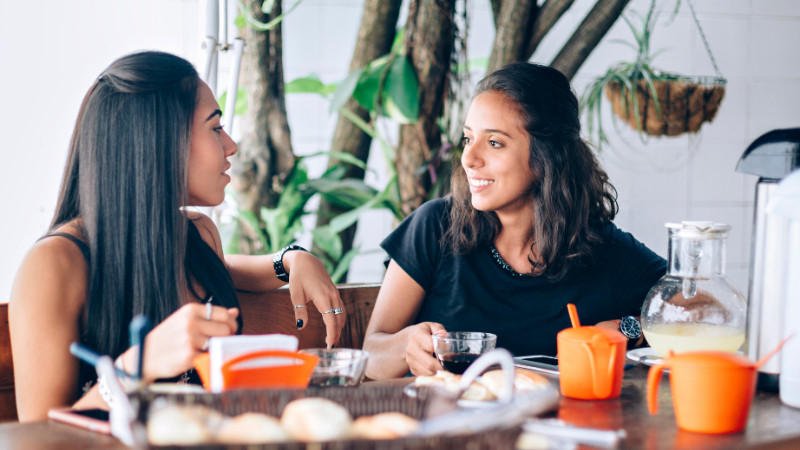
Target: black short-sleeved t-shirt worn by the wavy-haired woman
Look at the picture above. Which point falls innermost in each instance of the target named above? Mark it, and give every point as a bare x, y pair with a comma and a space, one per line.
474, 292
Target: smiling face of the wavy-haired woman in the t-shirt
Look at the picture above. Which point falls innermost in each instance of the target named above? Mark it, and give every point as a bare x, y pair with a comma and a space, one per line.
496, 155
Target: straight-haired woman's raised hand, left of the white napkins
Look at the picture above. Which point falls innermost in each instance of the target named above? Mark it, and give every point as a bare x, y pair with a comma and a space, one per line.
170, 348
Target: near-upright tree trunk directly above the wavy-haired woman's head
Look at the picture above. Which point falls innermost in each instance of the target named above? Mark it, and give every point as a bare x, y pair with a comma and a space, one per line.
513, 28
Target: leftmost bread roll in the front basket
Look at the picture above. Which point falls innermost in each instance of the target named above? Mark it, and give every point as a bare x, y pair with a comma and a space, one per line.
177, 425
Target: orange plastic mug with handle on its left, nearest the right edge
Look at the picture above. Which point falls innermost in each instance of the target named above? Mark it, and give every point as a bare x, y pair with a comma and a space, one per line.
711, 391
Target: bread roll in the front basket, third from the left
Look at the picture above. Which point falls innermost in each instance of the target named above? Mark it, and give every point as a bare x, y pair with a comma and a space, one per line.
315, 419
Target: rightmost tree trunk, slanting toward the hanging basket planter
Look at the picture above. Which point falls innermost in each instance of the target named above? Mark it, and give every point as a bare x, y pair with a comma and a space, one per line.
588, 34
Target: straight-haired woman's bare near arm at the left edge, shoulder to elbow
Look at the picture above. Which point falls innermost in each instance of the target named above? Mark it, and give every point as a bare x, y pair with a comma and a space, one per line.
45, 313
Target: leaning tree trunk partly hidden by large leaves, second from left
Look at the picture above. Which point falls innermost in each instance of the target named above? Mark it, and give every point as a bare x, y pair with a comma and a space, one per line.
375, 36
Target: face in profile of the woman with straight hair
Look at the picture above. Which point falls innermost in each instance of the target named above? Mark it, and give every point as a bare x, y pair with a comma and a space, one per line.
208, 155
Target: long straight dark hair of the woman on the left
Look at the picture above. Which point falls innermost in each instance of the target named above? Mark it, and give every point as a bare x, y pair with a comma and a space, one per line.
125, 179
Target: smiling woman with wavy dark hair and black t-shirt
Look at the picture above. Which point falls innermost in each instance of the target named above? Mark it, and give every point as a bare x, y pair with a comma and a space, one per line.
528, 228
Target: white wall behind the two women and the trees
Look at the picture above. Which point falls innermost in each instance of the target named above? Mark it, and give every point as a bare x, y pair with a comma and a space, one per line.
52, 53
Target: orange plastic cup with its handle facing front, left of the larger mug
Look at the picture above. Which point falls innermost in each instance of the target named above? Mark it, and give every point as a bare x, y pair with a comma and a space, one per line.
591, 362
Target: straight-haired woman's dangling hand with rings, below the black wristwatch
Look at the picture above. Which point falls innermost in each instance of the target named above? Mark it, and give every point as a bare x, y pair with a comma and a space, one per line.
310, 282
